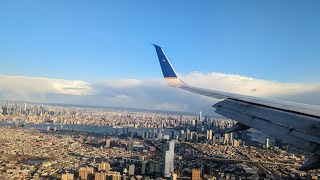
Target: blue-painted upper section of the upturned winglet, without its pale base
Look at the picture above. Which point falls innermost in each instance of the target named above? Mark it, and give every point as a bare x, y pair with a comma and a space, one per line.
167, 69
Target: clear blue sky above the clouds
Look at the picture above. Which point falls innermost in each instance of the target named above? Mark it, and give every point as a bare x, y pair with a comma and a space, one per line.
95, 40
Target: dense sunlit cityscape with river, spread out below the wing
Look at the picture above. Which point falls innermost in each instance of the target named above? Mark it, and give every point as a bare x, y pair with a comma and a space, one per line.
55, 142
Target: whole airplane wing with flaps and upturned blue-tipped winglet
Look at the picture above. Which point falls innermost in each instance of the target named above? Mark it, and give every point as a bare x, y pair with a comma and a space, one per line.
295, 123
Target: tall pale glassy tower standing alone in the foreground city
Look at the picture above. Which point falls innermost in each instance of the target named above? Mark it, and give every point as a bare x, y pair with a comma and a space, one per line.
168, 158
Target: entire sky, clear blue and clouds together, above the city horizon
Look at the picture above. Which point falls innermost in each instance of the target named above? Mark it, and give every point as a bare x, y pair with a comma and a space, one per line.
100, 53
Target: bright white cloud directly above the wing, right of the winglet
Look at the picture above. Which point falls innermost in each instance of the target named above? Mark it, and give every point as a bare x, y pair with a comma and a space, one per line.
248, 86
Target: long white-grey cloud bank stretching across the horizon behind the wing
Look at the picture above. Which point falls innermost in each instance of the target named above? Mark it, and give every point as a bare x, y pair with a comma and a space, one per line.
150, 94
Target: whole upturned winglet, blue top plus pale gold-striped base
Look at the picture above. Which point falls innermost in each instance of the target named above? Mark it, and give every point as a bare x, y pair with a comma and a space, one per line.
168, 72
